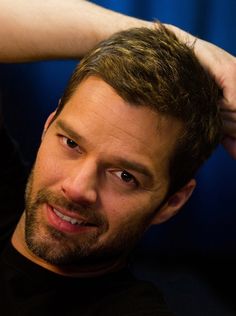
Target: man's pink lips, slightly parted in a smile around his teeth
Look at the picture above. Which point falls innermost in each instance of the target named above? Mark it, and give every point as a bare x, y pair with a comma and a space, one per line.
63, 225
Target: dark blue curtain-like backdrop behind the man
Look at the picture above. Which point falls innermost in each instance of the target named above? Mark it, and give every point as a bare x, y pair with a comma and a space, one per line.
207, 223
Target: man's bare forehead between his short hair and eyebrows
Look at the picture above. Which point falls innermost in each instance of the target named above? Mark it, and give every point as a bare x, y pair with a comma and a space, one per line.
110, 125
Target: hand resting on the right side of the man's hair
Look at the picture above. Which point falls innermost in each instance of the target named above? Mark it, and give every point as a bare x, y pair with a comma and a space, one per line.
222, 66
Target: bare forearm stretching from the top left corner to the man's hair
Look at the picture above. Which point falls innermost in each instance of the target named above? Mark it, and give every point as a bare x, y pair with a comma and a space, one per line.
55, 29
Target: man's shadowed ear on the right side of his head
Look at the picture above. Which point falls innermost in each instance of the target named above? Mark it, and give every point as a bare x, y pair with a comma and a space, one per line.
174, 203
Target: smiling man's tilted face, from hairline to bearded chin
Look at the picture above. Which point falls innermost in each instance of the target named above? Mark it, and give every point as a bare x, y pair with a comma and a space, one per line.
100, 175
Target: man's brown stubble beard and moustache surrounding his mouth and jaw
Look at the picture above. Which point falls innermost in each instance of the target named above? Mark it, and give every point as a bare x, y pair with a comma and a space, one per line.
57, 248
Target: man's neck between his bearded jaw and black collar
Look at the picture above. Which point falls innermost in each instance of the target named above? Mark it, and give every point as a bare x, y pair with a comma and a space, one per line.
19, 243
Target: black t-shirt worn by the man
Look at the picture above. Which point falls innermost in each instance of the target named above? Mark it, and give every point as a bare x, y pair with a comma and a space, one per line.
28, 289
